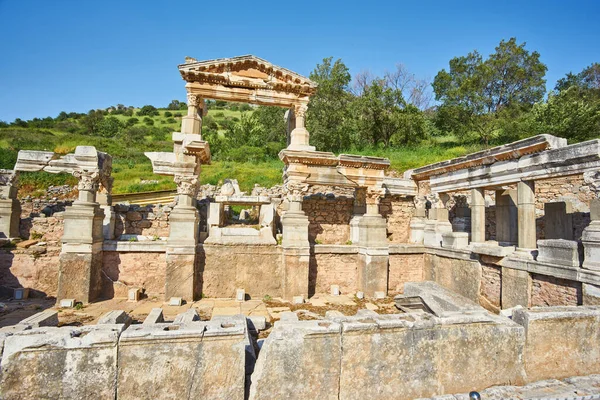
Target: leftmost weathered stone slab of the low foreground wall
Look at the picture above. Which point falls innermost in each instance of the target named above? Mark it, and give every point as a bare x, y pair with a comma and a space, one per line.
66, 362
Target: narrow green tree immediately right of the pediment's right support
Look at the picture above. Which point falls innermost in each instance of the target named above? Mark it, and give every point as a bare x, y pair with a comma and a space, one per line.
329, 117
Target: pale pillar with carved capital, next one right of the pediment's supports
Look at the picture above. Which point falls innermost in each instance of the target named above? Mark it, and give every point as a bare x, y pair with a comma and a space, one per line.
374, 251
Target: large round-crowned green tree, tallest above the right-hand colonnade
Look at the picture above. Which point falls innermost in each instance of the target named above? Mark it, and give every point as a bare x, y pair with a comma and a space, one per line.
475, 92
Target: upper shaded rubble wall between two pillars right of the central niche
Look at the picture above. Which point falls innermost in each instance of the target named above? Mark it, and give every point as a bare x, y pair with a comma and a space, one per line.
329, 218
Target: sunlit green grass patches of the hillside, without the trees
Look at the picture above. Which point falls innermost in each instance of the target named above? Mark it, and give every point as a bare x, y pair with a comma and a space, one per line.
133, 172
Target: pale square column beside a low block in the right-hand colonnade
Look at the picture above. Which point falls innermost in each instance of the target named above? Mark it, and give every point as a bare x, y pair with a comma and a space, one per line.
526, 219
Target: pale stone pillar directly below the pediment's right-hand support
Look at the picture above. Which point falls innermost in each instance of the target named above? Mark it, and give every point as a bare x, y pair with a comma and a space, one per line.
296, 249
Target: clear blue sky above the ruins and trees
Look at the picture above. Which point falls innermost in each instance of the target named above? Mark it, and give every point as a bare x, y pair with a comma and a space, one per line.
80, 55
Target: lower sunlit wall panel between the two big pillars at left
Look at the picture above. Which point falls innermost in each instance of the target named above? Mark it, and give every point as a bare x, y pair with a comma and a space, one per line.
125, 270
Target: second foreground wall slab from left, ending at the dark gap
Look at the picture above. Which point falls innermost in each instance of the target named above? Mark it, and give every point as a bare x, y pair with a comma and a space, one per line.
198, 359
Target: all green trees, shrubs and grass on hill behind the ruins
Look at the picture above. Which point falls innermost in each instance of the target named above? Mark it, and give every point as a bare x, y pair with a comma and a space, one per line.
481, 102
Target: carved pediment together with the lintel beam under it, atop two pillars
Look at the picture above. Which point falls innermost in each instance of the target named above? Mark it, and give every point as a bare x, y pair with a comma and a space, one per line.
247, 79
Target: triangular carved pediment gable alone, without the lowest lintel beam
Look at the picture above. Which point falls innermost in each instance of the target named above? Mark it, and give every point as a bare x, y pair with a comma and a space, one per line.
245, 71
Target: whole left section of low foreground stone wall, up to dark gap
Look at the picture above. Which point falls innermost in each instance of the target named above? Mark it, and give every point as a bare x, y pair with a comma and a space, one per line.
184, 359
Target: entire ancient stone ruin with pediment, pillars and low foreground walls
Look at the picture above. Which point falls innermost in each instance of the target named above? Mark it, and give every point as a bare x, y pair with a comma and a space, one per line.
494, 256
